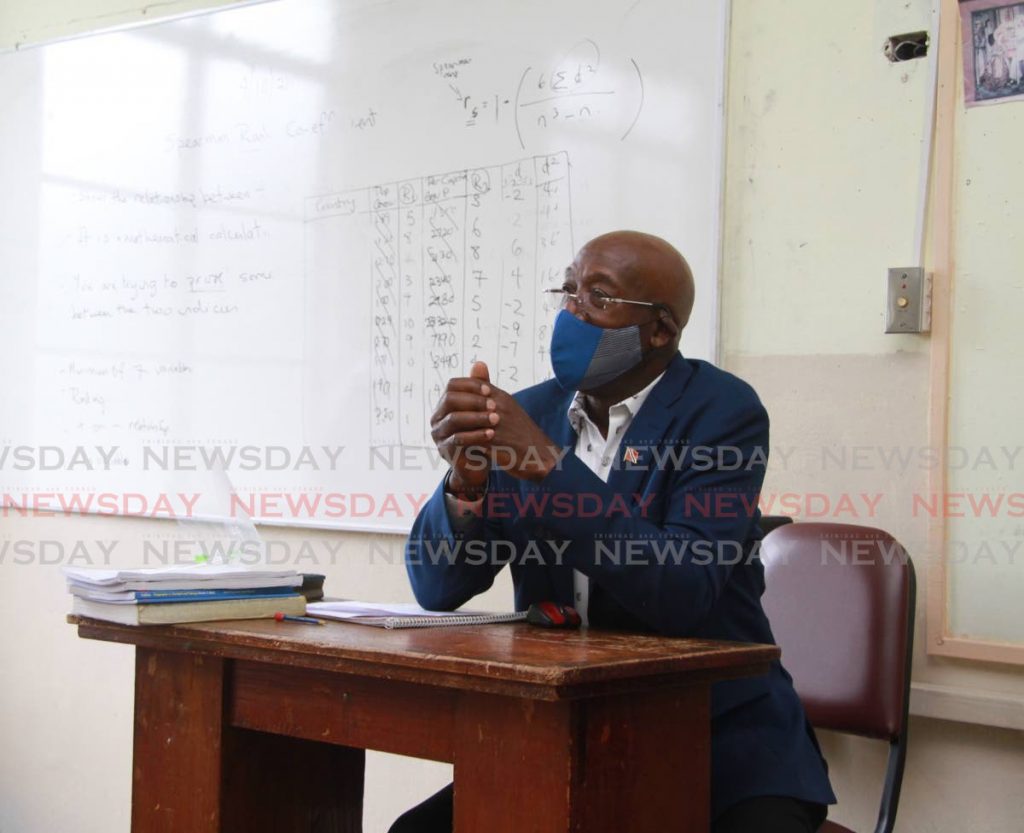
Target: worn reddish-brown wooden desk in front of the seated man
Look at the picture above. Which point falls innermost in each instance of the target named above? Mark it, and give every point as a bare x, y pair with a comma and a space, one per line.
261, 726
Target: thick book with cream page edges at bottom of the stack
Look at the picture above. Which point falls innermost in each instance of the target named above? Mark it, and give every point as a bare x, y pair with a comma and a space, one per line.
182, 612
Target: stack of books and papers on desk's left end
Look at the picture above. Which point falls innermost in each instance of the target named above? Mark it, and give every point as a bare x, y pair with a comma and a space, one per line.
201, 593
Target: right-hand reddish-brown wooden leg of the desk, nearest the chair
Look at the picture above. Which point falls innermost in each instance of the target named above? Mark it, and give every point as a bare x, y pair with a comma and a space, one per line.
636, 763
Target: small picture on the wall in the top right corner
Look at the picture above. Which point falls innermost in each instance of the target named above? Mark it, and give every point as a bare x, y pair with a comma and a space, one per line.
994, 51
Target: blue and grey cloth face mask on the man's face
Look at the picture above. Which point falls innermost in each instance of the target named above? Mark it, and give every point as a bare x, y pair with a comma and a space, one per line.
585, 357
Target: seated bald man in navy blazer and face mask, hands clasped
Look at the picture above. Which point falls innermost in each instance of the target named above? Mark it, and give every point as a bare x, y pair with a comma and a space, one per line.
637, 473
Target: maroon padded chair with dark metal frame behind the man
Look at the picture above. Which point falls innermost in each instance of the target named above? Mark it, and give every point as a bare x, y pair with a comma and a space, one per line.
841, 603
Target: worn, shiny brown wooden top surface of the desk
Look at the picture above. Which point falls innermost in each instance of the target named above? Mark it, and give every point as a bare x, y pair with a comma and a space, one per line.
514, 659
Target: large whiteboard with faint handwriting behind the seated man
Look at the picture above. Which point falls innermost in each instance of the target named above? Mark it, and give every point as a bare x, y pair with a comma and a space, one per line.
243, 253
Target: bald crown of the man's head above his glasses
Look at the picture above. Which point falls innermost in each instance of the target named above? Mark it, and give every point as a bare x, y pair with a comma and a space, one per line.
651, 269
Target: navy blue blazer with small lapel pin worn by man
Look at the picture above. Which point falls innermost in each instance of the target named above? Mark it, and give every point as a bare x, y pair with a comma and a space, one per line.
669, 545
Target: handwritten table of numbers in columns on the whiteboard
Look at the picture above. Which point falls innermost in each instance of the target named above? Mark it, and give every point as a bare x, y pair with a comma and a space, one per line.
455, 262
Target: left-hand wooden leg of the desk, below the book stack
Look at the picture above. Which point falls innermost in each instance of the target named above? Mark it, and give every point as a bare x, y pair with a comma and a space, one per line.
194, 773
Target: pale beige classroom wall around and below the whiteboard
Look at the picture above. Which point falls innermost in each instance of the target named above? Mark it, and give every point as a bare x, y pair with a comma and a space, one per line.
822, 193
